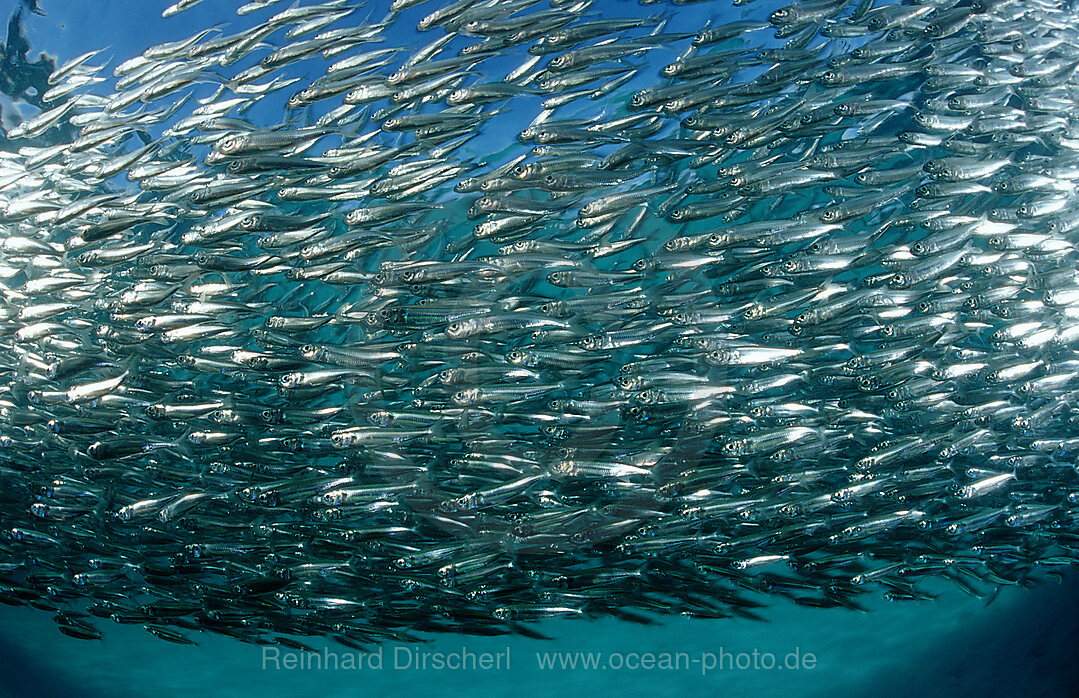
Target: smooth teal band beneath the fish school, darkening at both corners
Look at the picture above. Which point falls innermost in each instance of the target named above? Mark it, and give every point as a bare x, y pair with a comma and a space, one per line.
1025, 645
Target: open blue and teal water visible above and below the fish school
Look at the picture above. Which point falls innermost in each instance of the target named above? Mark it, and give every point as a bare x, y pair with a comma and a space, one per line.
1025, 644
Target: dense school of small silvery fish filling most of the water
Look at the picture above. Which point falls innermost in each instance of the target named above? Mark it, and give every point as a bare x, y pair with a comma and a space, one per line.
784, 305
